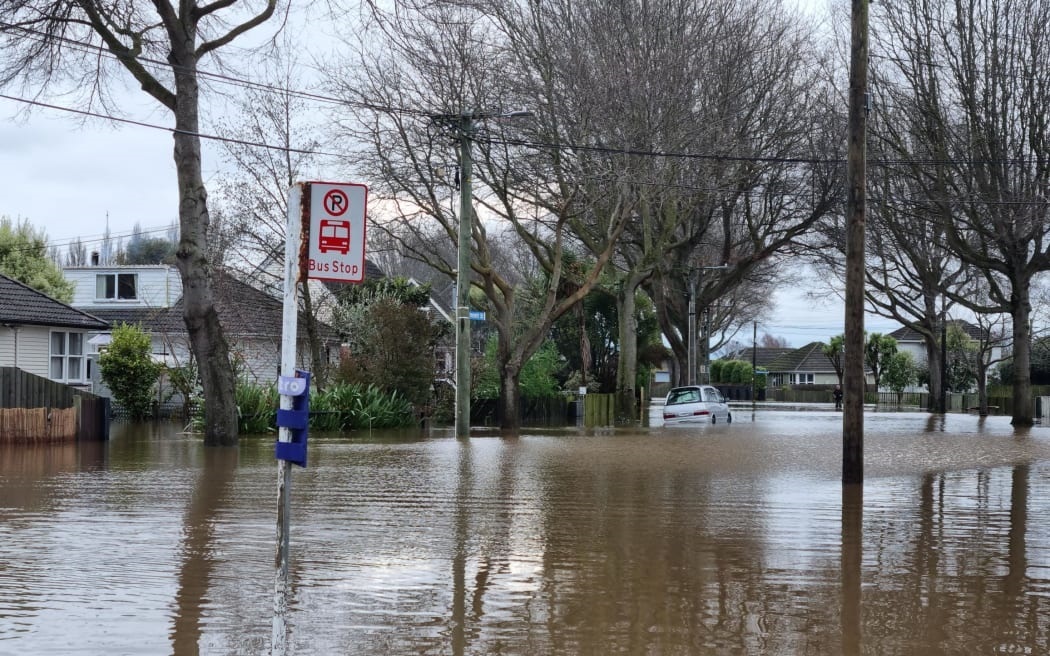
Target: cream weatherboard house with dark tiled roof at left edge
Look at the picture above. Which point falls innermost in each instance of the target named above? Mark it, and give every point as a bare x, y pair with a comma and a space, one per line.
44, 336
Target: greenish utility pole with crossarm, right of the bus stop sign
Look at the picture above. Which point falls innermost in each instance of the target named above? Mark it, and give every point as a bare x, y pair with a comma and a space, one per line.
464, 281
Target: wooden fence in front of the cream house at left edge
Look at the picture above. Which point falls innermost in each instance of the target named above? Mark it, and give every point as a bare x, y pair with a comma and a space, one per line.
34, 410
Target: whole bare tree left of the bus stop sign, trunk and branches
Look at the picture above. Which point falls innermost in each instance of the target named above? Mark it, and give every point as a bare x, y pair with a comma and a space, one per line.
161, 47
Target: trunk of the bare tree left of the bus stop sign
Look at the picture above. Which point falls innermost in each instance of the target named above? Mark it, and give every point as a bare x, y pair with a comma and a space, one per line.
207, 338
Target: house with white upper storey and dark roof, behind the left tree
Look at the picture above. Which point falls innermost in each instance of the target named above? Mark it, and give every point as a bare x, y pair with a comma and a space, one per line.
151, 298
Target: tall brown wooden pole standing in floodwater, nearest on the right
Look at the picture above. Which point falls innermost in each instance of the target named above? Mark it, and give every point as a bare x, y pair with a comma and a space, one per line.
853, 414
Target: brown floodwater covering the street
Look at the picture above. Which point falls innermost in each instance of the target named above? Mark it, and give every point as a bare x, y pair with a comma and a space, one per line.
711, 540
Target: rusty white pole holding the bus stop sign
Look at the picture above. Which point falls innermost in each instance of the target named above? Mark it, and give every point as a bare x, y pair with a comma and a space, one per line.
293, 245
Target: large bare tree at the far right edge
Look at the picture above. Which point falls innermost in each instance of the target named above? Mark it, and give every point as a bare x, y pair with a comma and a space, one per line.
974, 80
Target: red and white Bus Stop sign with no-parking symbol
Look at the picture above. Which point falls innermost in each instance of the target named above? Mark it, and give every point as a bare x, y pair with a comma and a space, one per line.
337, 231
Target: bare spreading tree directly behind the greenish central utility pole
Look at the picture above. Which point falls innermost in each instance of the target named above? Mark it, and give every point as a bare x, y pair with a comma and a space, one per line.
436, 65
